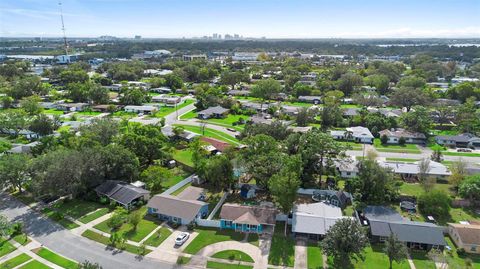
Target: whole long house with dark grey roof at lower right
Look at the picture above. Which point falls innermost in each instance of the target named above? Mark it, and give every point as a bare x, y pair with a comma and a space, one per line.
384, 221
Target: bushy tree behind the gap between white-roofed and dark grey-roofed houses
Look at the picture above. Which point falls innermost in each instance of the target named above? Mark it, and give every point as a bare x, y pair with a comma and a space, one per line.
374, 184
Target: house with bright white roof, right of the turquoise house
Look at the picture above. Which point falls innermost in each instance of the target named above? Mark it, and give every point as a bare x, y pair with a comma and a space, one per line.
314, 220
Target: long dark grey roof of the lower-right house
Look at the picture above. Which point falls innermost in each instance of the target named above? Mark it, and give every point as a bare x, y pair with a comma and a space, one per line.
409, 231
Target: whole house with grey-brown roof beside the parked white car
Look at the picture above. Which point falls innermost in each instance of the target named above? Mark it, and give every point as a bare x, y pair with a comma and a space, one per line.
182, 209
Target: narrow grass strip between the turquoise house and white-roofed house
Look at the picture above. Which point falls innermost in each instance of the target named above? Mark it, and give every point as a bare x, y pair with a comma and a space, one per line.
282, 250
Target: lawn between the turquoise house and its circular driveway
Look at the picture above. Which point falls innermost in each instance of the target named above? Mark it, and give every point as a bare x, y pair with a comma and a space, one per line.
208, 236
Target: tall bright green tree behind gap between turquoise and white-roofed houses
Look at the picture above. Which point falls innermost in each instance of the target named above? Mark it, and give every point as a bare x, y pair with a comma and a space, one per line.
284, 185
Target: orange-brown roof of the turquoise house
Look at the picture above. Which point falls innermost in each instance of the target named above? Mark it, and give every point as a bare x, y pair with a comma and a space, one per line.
257, 214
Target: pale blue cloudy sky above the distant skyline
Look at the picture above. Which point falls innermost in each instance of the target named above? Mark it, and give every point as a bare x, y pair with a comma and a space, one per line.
250, 18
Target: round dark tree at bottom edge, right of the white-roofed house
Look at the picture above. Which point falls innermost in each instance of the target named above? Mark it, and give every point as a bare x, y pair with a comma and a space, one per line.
345, 240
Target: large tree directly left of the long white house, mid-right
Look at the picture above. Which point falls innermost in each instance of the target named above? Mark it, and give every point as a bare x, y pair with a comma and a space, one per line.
319, 151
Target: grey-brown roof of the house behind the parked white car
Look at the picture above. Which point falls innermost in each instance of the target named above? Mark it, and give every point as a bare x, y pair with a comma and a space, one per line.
174, 206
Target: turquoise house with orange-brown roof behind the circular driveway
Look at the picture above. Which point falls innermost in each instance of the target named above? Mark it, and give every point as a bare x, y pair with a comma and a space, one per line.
248, 219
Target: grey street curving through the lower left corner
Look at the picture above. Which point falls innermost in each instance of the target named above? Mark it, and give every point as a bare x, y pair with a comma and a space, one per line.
70, 245
